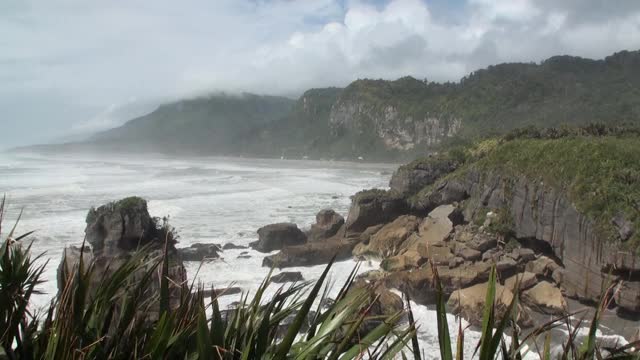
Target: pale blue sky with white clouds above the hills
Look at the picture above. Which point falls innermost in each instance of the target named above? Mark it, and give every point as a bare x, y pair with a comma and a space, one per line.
72, 67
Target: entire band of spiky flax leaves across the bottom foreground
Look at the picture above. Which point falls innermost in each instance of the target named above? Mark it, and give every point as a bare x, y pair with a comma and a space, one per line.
115, 322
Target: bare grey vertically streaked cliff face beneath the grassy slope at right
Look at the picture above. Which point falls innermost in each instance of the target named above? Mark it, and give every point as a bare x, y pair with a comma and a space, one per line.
539, 212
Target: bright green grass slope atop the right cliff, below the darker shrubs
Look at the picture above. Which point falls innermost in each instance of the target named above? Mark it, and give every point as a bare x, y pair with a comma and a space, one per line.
601, 175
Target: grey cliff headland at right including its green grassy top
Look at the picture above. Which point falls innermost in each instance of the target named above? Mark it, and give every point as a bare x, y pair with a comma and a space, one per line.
564, 217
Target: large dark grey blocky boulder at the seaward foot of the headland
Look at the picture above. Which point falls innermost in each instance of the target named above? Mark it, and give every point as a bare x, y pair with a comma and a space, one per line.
373, 207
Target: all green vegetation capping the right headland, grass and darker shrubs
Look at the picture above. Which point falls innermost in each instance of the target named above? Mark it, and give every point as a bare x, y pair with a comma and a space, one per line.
596, 166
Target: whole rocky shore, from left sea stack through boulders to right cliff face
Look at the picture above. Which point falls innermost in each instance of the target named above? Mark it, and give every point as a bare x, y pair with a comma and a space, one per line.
428, 221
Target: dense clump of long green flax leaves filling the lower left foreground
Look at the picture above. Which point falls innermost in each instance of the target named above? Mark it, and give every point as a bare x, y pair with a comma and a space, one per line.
124, 318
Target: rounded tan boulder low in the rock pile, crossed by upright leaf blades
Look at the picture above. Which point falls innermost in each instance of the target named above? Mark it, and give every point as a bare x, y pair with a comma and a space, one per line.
469, 304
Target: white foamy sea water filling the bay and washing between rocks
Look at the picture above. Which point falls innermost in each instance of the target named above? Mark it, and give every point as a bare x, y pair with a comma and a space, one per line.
208, 200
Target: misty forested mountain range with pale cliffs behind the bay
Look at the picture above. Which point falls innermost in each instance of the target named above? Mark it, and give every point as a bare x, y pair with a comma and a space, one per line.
380, 119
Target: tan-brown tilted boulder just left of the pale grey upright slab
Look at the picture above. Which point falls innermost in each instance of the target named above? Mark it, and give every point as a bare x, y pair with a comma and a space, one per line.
388, 240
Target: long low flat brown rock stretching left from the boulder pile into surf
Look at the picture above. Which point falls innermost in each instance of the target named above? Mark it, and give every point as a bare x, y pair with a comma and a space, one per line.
312, 253
